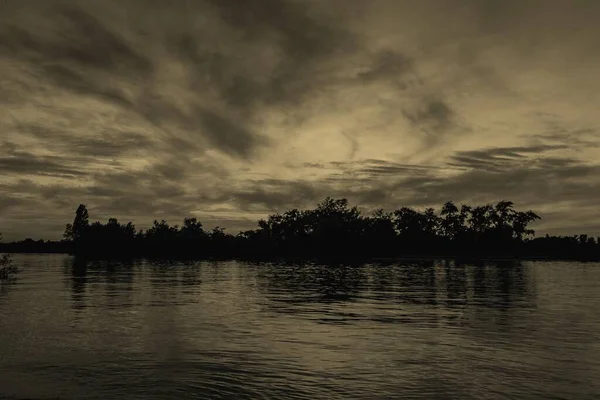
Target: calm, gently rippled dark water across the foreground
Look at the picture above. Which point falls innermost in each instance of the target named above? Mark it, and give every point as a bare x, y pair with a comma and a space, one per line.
427, 330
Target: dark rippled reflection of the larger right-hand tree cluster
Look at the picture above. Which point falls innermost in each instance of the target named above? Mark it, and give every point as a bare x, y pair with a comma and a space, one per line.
419, 290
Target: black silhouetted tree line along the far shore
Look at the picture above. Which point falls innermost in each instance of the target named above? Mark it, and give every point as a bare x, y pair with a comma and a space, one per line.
335, 229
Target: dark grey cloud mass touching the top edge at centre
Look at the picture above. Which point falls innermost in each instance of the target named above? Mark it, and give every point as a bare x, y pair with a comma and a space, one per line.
295, 41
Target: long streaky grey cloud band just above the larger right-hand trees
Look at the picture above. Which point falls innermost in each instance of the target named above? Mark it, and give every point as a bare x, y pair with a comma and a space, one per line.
529, 187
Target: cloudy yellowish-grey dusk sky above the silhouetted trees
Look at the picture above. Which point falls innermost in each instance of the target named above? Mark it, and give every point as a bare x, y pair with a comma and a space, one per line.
230, 111
